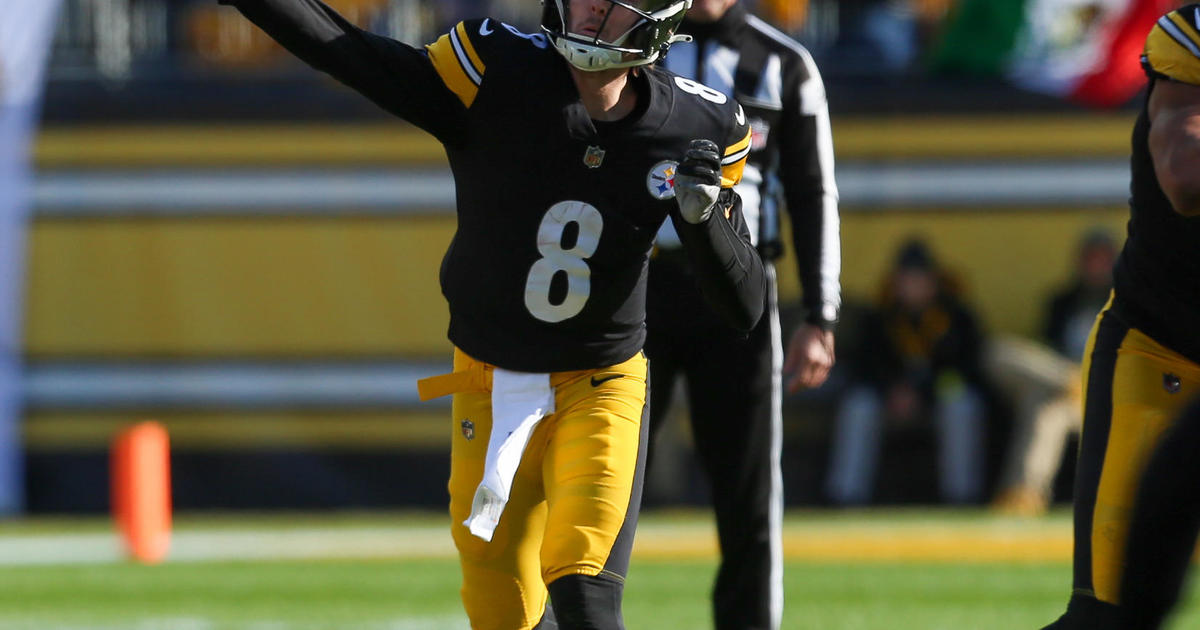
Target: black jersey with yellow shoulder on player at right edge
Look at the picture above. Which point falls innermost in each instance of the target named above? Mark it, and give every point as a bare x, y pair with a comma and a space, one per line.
1157, 278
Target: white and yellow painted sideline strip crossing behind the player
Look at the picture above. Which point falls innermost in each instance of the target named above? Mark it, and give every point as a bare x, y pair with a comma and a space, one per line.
866, 537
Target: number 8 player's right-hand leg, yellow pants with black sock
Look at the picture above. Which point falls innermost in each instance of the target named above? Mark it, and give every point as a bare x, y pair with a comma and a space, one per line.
593, 471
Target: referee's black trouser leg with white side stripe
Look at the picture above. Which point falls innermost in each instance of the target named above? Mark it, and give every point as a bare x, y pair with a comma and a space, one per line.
735, 394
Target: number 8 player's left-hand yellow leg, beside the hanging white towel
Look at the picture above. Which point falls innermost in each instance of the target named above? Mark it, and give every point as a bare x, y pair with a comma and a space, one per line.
502, 585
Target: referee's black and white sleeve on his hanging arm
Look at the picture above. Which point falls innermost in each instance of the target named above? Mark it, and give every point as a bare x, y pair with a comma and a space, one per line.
806, 171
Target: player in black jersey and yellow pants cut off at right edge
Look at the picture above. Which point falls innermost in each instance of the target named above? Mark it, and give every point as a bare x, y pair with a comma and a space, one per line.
1143, 362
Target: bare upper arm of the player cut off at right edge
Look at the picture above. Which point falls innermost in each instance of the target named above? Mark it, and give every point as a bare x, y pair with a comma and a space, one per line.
1175, 143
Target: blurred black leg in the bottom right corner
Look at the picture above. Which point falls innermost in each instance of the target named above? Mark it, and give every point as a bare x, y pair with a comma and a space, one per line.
1166, 524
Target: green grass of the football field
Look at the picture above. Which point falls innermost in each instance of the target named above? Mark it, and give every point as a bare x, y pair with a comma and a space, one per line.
422, 593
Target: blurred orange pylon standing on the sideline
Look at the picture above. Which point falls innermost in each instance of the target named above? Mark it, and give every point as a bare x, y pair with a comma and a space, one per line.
141, 491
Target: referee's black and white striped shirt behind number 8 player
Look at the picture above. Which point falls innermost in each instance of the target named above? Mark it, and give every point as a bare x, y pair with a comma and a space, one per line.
791, 160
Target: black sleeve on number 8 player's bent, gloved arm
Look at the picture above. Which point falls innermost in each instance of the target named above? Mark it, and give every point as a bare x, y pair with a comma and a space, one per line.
729, 269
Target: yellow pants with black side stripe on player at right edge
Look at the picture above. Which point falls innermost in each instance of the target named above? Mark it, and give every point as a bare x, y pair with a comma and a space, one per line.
1135, 388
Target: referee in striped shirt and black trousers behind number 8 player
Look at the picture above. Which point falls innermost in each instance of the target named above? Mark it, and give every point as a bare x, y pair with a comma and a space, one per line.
734, 380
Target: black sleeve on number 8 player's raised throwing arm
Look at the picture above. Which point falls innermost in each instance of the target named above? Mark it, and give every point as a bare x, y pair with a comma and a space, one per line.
397, 76
